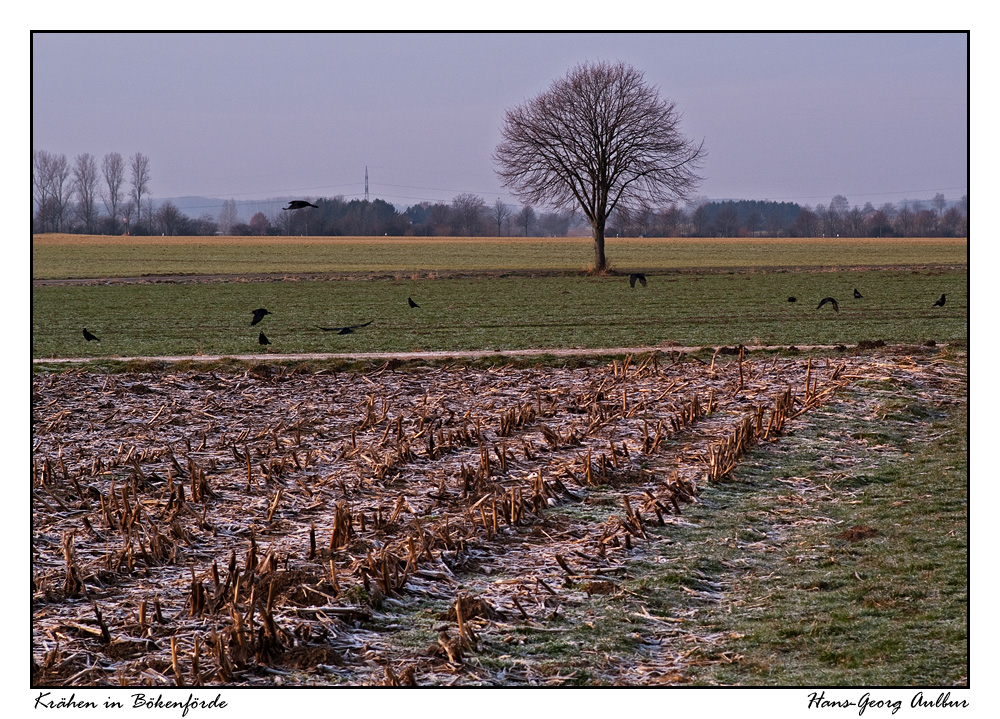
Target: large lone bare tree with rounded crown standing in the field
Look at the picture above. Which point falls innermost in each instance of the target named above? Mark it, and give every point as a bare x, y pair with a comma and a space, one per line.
598, 139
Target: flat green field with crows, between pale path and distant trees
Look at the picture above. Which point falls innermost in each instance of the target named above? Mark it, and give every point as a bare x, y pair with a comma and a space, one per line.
564, 309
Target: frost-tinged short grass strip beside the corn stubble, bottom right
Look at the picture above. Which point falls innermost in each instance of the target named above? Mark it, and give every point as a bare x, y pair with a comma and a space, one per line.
841, 552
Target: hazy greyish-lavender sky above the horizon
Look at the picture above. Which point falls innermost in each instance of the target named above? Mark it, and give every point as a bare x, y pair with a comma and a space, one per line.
790, 117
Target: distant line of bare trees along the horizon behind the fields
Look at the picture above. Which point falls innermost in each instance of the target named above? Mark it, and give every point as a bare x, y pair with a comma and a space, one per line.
112, 197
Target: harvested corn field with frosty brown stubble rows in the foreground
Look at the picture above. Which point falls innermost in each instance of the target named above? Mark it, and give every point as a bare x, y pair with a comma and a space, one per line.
257, 528
